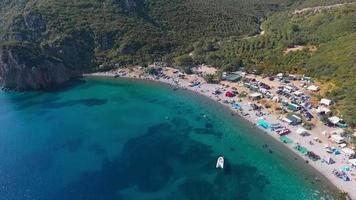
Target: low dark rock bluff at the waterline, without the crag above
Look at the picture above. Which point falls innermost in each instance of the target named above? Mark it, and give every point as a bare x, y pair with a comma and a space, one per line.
23, 67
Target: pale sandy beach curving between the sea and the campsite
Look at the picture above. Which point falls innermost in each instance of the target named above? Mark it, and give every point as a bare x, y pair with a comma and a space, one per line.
172, 77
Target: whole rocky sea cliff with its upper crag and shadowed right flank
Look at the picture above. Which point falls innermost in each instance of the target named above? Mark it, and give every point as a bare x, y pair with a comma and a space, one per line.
33, 59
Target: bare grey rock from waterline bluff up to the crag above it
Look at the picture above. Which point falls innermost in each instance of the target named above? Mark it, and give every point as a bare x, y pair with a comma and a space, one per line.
23, 65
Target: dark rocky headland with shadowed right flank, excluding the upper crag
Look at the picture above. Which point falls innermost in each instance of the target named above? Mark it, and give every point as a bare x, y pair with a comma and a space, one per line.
31, 66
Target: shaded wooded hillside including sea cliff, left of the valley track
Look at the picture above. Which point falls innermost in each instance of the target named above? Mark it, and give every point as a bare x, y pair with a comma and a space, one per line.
69, 37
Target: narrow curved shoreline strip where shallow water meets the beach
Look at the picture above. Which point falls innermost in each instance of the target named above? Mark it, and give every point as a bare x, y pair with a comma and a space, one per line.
314, 173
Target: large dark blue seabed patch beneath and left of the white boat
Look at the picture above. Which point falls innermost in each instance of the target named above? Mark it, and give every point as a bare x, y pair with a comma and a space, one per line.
145, 163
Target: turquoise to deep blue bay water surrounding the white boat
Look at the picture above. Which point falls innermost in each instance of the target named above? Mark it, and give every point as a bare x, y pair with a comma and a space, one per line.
123, 139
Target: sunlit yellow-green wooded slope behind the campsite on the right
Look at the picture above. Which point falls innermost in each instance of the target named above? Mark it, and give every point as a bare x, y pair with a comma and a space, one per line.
320, 44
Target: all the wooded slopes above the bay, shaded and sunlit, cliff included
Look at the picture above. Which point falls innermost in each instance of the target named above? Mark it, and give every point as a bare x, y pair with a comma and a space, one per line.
79, 35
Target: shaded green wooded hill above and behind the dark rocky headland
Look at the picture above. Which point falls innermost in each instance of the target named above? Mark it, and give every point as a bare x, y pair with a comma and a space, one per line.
133, 31
